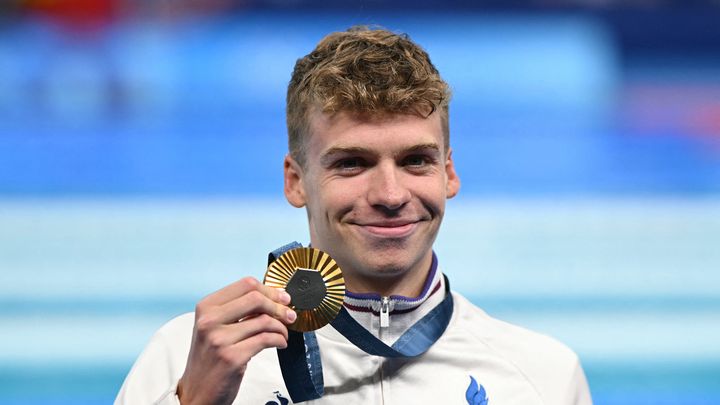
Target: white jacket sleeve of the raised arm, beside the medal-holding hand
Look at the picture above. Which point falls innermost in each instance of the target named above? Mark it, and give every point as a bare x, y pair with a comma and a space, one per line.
154, 376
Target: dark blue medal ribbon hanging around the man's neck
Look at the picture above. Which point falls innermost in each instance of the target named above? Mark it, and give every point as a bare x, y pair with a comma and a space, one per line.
300, 362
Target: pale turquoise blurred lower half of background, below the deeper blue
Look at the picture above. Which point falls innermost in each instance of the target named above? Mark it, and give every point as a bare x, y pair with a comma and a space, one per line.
632, 285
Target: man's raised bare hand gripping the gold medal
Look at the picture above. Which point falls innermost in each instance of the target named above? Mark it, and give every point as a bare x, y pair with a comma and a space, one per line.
231, 326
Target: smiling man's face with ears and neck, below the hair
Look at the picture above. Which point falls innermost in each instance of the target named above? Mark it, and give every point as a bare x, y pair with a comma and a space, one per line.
375, 191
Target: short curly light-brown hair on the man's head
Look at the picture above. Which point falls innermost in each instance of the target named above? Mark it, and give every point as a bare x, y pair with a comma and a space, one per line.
366, 71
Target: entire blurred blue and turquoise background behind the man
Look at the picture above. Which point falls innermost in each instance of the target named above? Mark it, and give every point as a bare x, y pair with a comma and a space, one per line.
141, 147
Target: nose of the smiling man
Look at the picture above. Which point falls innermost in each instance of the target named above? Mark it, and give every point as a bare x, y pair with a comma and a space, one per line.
387, 189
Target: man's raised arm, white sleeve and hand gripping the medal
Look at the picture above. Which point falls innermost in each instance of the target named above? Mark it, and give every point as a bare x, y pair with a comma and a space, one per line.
230, 326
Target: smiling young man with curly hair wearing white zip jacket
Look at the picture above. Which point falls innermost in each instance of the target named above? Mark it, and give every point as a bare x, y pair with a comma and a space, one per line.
370, 161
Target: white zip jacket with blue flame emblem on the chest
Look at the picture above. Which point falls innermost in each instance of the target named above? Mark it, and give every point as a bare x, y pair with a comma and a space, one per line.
513, 365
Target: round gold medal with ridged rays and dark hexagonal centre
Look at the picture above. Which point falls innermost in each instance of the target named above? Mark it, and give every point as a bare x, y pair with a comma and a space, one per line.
315, 283
